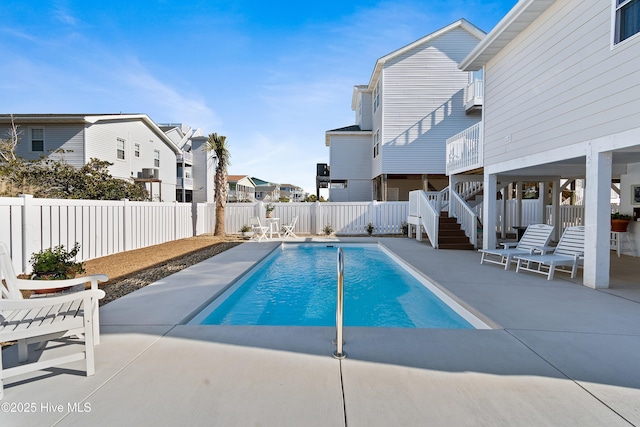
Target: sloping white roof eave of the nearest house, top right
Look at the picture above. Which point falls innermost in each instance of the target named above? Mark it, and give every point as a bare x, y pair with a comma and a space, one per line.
514, 22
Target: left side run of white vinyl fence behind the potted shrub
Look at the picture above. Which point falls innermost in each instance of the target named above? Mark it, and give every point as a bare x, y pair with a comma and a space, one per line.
29, 225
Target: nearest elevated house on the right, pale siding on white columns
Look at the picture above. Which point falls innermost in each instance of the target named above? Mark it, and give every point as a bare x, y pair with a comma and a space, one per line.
562, 91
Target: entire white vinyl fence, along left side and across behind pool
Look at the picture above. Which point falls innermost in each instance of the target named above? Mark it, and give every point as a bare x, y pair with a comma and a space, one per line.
29, 225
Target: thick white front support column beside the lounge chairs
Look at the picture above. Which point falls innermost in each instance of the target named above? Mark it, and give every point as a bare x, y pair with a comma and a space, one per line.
597, 219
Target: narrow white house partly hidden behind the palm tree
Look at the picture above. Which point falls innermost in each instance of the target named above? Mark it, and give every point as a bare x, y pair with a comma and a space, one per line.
195, 167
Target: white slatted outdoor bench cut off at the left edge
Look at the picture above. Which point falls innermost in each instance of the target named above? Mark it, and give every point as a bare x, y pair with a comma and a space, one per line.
38, 320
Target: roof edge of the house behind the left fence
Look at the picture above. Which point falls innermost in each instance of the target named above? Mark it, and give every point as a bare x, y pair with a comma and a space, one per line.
90, 119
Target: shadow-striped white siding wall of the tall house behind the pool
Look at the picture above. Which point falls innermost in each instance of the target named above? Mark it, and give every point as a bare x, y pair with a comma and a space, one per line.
423, 104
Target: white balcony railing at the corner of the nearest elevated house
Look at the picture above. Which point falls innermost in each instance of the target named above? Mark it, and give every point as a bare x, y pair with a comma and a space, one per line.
464, 150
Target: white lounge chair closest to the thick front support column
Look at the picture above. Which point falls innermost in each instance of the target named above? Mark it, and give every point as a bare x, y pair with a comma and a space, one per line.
569, 252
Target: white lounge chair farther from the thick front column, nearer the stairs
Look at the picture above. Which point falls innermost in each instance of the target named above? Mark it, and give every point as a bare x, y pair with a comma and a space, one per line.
536, 236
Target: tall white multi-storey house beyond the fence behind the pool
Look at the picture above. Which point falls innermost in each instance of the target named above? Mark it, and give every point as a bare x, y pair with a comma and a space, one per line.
416, 98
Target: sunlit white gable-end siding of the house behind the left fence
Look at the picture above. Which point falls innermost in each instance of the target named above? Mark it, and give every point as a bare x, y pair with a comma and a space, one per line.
101, 143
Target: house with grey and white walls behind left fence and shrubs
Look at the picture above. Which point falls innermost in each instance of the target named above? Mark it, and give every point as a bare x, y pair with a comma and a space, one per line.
137, 147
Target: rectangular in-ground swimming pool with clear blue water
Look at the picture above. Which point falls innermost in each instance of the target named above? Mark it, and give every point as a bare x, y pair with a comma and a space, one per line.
296, 286
